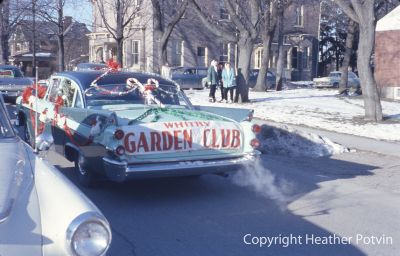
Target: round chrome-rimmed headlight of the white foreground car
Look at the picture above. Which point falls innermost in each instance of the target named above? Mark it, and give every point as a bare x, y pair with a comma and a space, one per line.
89, 235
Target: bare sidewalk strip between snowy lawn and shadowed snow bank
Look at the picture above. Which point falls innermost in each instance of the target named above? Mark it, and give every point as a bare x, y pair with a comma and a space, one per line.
350, 141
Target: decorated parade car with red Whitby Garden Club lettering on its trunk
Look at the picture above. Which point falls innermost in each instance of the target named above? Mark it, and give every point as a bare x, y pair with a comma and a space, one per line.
123, 125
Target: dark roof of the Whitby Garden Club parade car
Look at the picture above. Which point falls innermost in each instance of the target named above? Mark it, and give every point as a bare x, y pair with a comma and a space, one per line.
85, 78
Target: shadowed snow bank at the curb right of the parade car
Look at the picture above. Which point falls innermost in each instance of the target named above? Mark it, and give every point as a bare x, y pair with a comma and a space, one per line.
284, 140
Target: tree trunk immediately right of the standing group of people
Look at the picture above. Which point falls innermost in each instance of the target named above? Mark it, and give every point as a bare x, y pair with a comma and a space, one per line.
245, 46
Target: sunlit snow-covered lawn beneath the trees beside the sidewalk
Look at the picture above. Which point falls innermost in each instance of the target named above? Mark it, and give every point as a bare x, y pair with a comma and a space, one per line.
315, 108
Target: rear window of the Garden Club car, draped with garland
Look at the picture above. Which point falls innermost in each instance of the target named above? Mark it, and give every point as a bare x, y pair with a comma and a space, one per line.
118, 94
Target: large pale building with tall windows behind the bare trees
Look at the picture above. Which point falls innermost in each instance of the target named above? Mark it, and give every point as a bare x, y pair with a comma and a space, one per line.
192, 44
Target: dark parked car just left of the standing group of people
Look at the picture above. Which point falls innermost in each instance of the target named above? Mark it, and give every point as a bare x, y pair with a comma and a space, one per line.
189, 77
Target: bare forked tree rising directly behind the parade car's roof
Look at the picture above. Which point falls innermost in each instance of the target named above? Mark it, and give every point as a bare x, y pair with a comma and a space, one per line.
163, 28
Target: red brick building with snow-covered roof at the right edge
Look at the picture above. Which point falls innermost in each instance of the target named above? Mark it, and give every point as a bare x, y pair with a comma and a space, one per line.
387, 55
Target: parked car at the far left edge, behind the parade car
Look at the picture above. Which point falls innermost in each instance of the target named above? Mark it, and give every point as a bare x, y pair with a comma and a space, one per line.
12, 82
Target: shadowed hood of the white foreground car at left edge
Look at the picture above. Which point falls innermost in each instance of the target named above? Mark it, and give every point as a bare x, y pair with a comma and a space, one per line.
15, 174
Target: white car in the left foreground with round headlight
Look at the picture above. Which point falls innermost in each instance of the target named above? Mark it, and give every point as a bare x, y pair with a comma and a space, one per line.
41, 212
